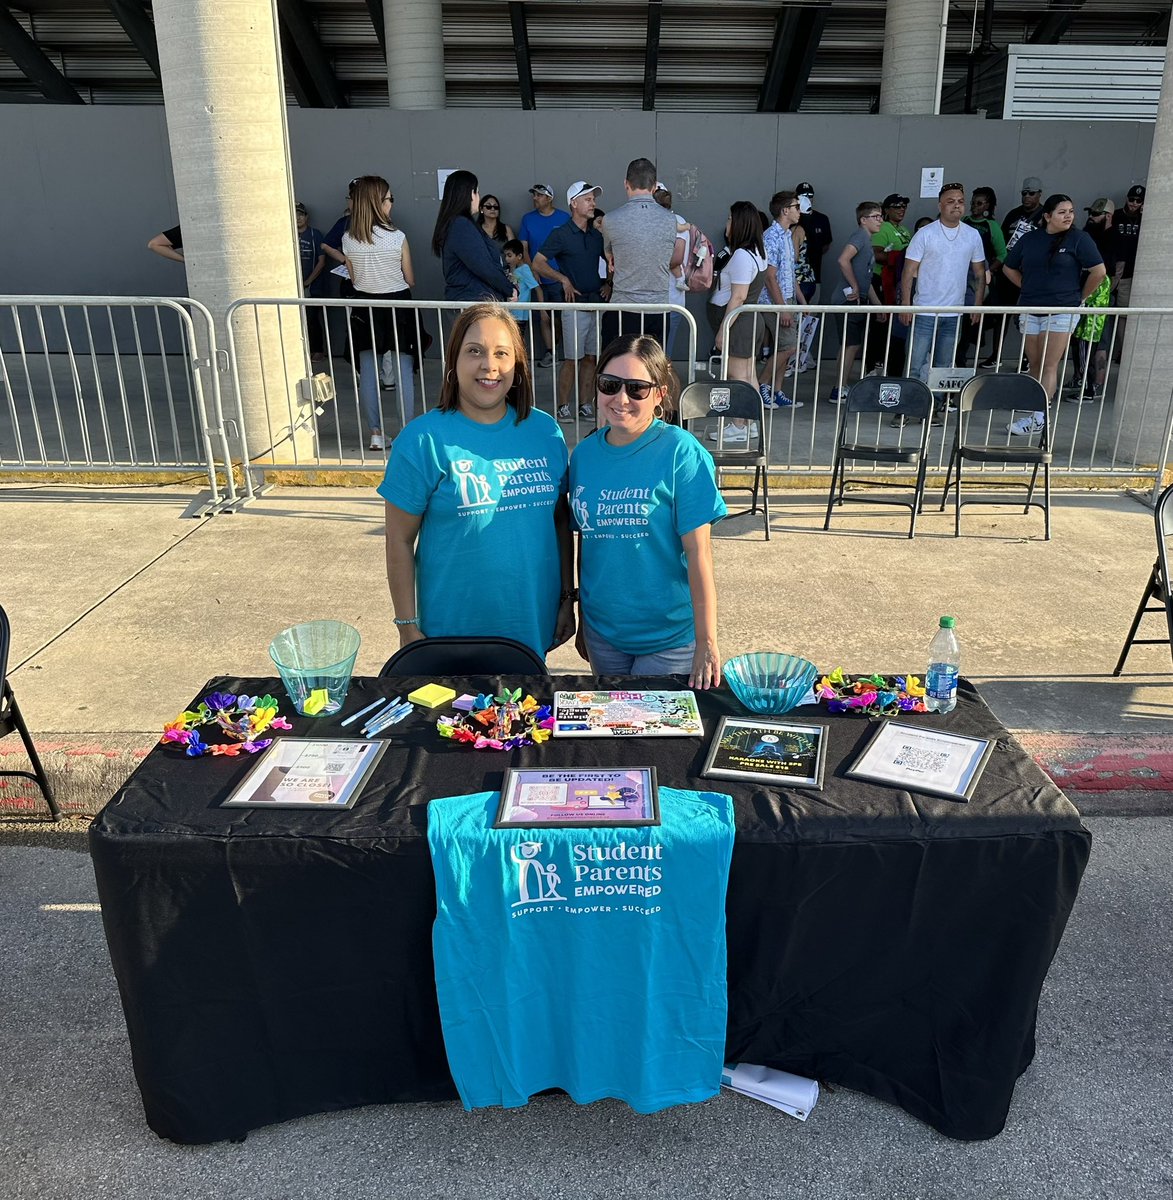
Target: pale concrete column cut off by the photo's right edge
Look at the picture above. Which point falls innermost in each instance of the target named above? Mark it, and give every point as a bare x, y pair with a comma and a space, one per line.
1146, 374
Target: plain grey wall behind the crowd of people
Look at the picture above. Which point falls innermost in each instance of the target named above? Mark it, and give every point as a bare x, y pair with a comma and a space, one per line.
85, 189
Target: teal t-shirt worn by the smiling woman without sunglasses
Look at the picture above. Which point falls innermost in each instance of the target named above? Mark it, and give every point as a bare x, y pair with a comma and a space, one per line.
488, 557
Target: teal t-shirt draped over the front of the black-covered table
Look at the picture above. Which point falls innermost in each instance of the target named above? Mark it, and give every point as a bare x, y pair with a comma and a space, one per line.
593, 961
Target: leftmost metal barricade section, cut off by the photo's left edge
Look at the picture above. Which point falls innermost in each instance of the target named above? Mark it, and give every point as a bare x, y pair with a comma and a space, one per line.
110, 386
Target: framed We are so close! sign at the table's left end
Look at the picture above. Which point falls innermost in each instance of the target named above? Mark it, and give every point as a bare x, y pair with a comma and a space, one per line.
309, 773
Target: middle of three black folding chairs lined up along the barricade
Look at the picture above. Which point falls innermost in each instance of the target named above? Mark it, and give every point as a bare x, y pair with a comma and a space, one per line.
911, 405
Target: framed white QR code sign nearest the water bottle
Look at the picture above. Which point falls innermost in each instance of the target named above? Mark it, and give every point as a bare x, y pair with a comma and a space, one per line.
918, 759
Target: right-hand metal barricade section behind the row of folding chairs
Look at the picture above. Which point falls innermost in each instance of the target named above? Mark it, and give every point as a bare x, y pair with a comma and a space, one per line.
1103, 422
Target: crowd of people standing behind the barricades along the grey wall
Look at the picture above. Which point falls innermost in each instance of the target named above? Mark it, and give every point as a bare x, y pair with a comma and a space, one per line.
646, 254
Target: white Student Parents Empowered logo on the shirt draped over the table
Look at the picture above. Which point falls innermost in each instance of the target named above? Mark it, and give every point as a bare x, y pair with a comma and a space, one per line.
628, 873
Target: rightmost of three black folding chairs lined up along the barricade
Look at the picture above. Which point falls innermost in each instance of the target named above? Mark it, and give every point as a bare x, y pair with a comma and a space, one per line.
1007, 394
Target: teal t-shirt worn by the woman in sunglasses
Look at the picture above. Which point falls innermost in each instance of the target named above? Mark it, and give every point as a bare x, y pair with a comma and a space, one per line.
633, 505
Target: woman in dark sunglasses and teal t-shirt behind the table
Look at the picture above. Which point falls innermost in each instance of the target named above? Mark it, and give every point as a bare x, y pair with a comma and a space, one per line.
643, 497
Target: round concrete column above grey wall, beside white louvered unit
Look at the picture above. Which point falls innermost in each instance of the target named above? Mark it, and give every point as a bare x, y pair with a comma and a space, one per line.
915, 57
